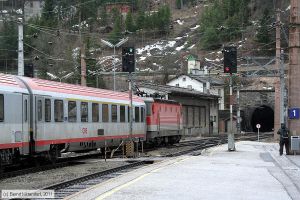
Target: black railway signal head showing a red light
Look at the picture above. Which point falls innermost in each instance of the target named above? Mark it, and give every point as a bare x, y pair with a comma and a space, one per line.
230, 60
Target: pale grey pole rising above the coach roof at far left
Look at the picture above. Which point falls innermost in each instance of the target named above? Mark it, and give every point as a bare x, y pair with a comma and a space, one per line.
20, 48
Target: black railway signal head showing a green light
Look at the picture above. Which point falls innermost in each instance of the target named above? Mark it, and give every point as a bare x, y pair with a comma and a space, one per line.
128, 60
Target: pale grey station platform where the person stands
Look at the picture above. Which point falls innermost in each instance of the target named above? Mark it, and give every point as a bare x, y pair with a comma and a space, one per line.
255, 171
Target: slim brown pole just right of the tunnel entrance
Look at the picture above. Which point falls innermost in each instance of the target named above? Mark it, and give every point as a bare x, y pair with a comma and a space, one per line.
277, 114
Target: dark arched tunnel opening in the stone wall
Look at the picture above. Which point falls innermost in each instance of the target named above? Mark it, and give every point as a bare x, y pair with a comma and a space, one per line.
264, 116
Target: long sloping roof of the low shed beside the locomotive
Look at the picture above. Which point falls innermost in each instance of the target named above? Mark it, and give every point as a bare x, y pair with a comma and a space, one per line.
171, 90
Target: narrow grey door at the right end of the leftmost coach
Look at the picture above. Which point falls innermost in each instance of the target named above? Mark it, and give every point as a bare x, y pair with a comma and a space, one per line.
25, 123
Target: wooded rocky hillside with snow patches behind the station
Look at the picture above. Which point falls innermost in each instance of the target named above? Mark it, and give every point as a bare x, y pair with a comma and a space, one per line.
53, 42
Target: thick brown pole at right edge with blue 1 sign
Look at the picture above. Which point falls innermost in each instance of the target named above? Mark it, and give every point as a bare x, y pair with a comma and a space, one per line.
294, 62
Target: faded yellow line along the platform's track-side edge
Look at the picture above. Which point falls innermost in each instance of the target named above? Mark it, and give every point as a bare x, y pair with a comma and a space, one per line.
111, 192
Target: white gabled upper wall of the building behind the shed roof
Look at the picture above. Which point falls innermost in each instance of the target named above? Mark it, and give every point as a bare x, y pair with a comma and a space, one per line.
187, 82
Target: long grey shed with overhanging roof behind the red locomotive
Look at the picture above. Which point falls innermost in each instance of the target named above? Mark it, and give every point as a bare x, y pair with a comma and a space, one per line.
200, 110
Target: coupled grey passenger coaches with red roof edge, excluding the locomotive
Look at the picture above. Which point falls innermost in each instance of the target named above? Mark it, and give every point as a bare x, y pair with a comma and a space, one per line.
40, 117
